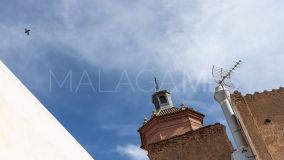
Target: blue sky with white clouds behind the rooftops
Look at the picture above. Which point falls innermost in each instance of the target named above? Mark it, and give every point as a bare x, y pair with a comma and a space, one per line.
112, 49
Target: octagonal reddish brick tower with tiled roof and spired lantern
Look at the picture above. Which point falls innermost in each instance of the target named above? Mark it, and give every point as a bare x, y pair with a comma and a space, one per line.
168, 121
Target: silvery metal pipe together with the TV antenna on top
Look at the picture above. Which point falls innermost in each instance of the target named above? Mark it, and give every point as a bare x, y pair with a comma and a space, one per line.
222, 96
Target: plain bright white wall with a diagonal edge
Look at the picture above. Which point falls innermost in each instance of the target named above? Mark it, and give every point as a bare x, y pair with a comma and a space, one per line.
27, 130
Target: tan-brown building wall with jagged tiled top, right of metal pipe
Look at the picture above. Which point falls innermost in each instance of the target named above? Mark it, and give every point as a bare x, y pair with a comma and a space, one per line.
261, 116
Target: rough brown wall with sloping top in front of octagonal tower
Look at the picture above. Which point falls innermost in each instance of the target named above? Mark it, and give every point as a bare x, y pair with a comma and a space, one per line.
207, 143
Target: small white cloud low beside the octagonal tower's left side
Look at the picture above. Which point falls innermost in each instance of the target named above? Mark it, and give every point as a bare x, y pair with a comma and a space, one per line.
132, 152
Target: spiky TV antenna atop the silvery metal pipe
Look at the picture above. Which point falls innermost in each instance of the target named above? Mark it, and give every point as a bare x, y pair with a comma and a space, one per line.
222, 76
